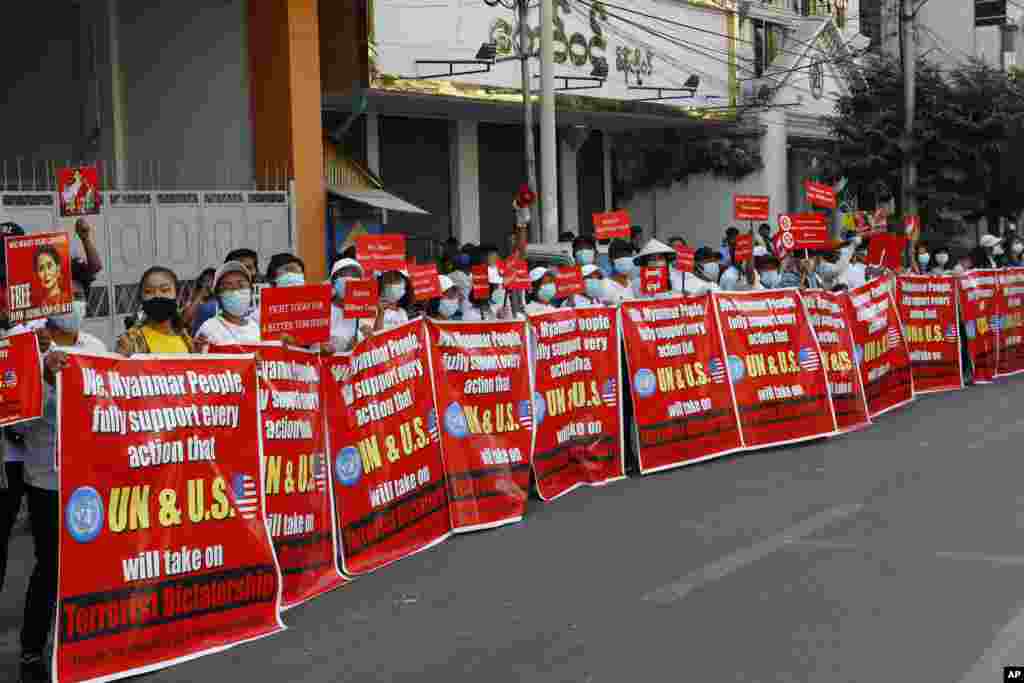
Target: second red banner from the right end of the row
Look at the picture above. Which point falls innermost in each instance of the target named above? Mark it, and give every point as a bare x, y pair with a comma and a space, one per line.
980, 313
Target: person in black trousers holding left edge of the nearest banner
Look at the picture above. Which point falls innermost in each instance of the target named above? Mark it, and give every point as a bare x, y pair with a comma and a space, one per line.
38, 448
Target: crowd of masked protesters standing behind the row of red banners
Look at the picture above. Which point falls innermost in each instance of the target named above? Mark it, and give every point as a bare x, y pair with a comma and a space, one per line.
222, 309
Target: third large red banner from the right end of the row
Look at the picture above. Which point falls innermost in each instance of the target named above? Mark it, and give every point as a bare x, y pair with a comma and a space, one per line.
931, 328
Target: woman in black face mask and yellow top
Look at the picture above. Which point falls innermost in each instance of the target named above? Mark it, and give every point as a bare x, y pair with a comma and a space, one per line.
160, 329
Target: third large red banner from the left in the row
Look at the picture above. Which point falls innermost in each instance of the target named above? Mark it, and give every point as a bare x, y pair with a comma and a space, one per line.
385, 437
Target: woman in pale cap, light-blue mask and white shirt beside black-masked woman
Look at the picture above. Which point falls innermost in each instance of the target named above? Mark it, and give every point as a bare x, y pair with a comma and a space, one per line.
233, 325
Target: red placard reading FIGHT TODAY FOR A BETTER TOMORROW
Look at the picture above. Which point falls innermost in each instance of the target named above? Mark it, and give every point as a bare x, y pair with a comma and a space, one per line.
303, 313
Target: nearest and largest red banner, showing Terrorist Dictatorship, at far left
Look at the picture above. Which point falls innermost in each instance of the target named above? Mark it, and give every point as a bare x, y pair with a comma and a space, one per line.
164, 548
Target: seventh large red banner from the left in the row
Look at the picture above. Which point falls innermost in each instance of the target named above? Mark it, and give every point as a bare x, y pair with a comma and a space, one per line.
775, 362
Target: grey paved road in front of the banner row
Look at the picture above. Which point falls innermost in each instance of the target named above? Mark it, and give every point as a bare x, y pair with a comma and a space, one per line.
893, 554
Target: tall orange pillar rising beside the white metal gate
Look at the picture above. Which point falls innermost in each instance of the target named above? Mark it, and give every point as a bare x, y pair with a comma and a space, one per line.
285, 83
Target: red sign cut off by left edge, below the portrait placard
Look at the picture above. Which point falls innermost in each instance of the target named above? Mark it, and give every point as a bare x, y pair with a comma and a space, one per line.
21, 379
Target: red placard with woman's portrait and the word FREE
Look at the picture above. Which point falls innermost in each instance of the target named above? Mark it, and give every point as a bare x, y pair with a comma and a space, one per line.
38, 276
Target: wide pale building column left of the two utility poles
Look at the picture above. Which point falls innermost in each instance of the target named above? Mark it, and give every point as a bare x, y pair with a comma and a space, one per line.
465, 183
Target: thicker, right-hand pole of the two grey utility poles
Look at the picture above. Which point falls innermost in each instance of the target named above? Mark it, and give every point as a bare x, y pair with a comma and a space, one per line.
549, 181
